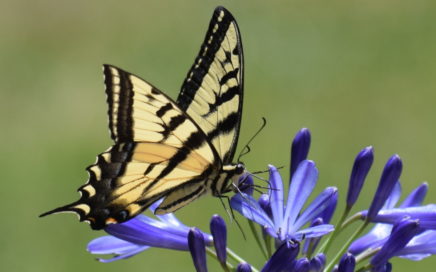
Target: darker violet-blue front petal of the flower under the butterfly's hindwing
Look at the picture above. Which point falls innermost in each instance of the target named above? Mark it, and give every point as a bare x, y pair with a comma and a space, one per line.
141, 233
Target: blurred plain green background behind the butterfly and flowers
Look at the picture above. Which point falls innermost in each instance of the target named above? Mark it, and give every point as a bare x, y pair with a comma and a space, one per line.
356, 73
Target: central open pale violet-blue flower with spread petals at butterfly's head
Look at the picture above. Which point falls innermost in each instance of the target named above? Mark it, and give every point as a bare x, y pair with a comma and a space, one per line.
286, 221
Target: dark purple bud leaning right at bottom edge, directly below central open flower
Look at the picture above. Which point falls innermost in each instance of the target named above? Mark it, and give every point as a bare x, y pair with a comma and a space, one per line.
282, 259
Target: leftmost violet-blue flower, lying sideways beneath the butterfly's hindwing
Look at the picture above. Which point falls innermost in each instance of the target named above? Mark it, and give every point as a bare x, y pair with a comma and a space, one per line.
142, 232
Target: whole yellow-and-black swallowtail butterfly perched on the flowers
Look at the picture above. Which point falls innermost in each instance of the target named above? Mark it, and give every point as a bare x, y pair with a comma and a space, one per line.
176, 150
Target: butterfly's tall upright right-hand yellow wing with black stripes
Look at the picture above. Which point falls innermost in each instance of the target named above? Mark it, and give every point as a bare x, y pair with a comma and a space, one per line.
213, 90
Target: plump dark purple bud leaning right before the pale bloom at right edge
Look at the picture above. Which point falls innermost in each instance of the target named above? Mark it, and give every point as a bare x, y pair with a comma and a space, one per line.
402, 233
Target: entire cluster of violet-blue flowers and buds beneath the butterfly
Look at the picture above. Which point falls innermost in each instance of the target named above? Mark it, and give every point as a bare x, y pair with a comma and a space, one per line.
294, 238
